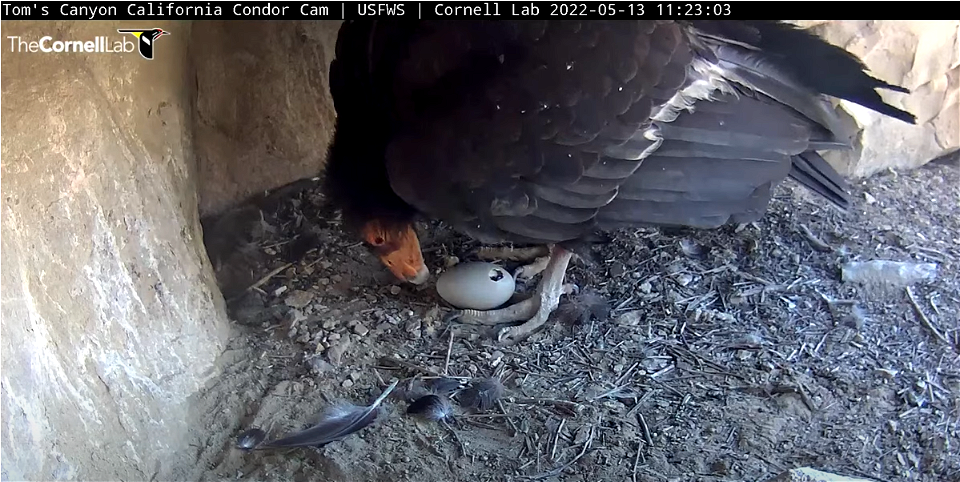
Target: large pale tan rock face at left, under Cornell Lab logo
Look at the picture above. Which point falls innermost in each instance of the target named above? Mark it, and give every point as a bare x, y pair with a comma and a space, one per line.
111, 320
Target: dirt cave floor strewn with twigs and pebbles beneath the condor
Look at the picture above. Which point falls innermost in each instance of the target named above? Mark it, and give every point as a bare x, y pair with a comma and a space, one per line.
732, 354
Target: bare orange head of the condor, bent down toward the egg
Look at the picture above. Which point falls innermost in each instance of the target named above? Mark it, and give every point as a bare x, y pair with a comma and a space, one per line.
398, 248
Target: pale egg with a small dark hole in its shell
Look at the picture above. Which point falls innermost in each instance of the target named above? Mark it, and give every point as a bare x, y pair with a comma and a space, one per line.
476, 285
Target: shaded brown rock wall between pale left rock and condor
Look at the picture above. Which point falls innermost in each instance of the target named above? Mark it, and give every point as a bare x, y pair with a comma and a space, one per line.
264, 112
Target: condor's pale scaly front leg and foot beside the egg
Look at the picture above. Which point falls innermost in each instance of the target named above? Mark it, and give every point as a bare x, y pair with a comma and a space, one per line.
534, 310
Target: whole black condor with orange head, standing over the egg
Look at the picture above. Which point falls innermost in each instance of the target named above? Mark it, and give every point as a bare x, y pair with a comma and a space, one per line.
542, 132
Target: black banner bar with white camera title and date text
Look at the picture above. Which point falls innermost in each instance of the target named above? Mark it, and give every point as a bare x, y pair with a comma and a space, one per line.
142, 11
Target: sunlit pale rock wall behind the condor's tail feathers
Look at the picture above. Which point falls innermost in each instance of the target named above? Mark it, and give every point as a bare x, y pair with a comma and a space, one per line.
919, 55
